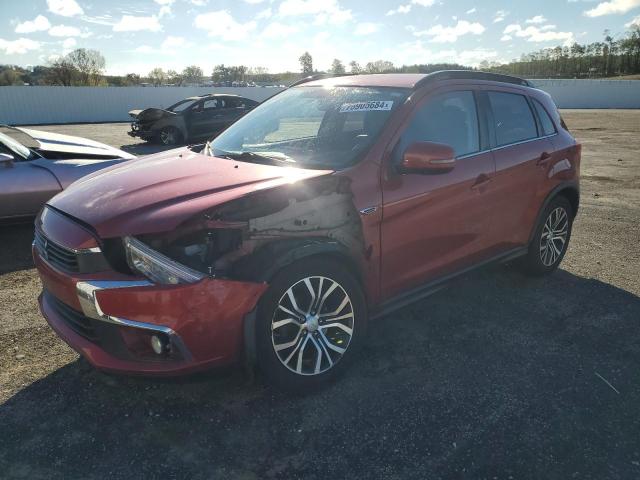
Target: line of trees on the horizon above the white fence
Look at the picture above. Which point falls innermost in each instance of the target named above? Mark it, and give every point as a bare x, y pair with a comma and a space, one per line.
608, 58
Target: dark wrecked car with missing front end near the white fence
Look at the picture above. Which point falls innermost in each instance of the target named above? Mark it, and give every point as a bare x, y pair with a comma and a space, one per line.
191, 119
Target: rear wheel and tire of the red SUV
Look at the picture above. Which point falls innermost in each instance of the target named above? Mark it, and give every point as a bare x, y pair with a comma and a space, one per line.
550, 240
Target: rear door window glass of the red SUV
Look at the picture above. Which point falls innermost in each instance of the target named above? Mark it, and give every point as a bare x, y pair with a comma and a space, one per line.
513, 118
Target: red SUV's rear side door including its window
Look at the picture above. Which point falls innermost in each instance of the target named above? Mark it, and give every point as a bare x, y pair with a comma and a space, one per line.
520, 149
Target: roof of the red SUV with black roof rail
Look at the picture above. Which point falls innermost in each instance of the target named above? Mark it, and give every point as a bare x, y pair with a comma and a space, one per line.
410, 80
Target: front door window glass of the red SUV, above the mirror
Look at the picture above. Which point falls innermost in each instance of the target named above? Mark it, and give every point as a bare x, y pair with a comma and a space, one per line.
450, 118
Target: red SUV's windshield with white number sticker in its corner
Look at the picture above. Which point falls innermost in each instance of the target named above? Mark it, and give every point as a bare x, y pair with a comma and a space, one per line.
313, 127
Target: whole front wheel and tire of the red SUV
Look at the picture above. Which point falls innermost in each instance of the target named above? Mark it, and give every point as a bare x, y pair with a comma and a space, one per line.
310, 324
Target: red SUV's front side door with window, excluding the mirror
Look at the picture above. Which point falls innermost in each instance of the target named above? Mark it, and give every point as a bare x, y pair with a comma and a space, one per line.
434, 224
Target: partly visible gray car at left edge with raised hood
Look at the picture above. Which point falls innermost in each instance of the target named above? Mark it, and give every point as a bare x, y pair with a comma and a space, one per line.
35, 165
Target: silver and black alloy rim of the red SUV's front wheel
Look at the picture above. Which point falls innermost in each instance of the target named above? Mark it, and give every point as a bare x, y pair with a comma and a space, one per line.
312, 325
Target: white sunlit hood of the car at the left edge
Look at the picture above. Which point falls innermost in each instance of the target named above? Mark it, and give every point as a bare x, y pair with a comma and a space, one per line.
78, 147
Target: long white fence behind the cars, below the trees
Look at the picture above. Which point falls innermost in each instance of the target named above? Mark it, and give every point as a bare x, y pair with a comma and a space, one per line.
43, 105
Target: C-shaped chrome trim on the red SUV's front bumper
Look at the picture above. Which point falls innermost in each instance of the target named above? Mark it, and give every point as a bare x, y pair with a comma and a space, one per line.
91, 308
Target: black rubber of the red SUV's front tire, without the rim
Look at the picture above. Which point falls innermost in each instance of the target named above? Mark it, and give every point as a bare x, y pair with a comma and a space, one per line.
268, 362
